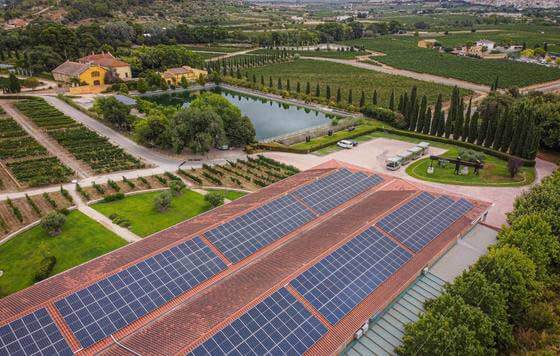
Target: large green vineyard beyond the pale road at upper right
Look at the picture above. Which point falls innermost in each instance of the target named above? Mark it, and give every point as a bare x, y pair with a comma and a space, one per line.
403, 52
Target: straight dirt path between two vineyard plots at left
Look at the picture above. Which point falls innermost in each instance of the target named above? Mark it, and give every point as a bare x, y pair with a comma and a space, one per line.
46, 141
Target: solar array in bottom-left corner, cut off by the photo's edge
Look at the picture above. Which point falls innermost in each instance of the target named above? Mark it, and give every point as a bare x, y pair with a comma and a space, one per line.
34, 334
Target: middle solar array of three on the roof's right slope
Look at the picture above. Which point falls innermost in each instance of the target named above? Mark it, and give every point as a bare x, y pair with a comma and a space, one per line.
342, 280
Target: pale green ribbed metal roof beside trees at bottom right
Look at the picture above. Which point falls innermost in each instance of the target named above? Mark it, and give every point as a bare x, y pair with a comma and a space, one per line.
387, 328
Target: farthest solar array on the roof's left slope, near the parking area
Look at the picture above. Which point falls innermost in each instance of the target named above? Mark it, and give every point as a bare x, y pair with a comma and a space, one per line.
335, 189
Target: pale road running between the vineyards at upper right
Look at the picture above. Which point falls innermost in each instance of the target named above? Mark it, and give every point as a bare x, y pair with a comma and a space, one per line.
407, 73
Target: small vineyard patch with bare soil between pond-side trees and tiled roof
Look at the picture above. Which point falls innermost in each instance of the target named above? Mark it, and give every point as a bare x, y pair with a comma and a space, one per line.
250, 174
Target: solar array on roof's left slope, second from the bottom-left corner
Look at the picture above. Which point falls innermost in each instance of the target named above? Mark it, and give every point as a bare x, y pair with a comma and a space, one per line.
109, 305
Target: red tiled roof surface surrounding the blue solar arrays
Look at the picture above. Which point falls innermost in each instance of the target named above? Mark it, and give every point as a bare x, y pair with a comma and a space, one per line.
190, 319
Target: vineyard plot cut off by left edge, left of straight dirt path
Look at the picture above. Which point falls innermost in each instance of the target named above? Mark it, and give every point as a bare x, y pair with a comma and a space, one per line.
27, 161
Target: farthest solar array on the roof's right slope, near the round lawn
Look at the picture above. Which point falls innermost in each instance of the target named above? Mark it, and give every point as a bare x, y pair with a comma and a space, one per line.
423, 219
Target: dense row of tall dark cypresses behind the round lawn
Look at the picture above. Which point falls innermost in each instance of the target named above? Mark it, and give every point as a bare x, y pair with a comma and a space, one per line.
510, 129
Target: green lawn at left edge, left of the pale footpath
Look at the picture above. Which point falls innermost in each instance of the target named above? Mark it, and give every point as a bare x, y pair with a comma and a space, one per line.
81, 240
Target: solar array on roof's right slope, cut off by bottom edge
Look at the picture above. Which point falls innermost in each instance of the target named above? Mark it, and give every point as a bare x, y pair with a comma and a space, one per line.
279, 325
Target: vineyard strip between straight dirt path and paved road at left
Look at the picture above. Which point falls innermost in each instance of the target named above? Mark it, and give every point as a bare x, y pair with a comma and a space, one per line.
95, 151
